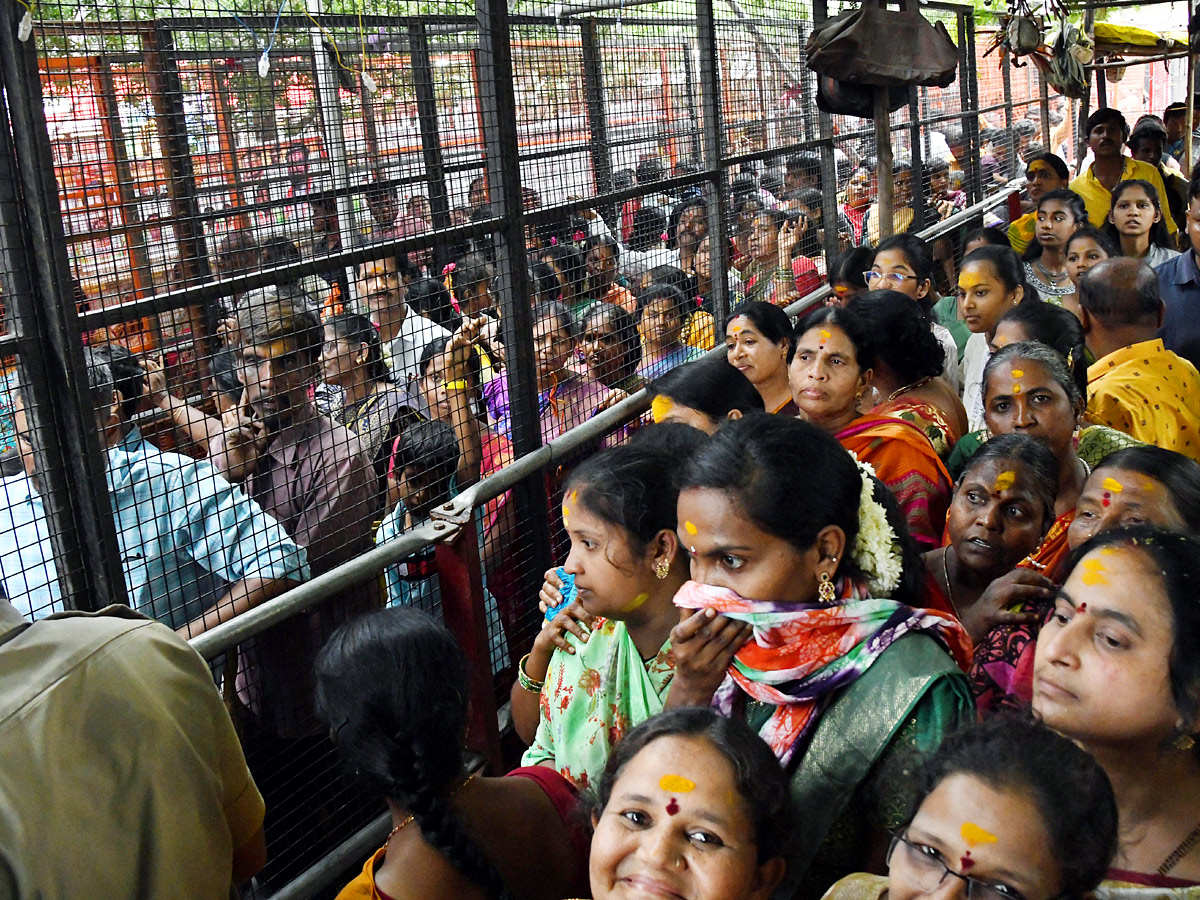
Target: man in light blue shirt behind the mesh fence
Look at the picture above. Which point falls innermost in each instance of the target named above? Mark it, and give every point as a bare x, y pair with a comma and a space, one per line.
195, 550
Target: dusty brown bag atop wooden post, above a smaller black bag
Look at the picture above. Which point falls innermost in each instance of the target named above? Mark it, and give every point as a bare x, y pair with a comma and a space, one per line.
881, 47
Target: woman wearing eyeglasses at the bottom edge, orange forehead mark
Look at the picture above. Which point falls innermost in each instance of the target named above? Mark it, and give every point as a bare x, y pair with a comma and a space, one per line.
1006, 811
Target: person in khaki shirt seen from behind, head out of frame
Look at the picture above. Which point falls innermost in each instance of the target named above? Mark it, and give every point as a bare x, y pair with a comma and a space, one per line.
123, 776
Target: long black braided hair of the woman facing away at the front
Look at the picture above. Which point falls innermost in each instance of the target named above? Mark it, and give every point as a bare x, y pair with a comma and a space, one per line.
393, 687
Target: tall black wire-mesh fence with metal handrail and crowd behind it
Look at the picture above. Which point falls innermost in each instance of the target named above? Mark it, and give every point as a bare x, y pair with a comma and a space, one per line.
425, 260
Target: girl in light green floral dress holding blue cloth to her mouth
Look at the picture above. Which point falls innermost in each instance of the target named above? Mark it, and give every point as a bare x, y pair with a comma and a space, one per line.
598, 670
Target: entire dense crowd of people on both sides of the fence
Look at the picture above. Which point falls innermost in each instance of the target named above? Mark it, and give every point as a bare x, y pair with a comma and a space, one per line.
895, 599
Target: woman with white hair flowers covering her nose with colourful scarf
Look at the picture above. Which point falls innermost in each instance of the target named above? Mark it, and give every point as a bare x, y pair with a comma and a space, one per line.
793, 557
